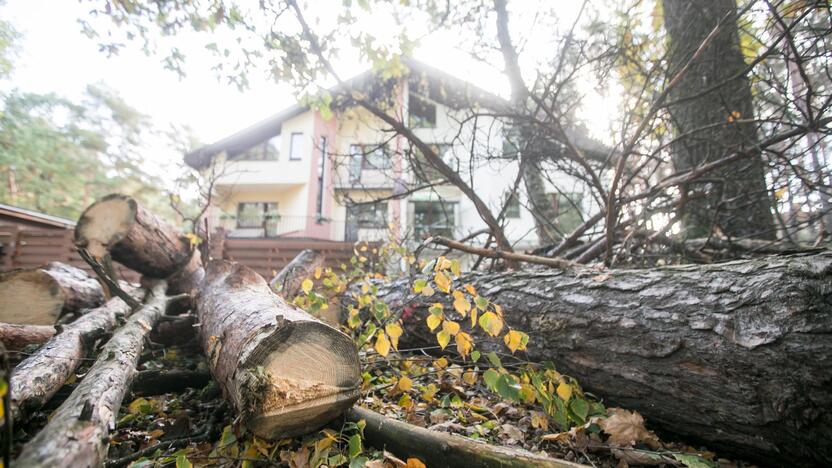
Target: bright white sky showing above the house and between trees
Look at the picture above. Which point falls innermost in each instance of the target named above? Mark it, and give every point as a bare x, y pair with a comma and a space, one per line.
56, 57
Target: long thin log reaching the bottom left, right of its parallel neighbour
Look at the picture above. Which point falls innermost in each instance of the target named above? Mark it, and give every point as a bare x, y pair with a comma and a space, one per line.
76, 434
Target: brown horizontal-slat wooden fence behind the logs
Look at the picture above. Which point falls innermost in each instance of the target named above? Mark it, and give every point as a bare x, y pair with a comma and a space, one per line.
30, 248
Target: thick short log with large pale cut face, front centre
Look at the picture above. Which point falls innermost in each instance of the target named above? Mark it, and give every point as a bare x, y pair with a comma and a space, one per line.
284, 371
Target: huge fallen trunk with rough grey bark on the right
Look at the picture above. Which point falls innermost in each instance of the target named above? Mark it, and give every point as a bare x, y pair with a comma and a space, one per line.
736, 355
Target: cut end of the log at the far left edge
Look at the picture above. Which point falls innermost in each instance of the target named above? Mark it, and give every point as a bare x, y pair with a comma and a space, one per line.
30, 297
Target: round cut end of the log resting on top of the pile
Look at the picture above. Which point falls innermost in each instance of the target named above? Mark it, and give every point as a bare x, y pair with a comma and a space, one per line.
105, 223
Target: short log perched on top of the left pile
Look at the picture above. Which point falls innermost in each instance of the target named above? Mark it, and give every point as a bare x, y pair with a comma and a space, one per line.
138, 239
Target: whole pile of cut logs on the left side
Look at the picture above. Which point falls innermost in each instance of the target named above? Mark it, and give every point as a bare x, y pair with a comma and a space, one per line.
282, 370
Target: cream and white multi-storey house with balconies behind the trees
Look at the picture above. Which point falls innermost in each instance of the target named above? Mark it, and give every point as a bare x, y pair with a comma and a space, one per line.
340, 174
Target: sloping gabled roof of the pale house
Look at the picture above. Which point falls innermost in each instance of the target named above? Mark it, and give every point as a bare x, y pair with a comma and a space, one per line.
452, 91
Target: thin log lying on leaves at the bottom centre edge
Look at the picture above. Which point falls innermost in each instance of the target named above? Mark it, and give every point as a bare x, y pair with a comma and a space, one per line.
437, 449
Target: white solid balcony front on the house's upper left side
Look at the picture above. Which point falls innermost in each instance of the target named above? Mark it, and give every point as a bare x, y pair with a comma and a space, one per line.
263, 173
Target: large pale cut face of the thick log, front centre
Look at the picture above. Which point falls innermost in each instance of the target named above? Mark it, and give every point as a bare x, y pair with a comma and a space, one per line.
299, 377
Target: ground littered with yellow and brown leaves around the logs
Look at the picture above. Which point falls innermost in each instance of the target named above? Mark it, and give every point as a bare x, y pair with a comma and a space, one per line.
194, 427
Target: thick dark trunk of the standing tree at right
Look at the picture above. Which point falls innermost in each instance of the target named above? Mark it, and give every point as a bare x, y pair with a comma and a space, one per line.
714, 111
